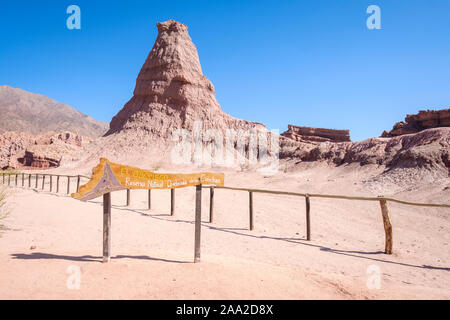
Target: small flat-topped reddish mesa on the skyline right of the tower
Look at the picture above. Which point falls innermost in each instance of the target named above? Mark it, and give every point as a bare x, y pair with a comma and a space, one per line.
308, 134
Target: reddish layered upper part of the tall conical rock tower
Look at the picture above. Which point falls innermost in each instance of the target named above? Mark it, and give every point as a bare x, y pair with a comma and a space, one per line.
171, 91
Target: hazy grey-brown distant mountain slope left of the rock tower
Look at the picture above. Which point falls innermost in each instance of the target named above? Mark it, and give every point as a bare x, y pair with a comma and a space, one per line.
24, 111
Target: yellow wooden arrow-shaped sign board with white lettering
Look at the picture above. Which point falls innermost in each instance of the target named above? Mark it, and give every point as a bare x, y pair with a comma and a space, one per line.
108, 176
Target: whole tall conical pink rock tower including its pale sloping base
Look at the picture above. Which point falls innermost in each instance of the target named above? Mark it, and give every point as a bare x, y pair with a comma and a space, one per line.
171, 94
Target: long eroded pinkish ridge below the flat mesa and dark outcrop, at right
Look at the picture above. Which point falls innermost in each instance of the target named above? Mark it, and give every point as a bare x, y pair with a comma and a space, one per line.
428, 149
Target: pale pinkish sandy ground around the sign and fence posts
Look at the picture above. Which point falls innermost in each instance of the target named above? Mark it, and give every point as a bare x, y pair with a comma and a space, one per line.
47, 238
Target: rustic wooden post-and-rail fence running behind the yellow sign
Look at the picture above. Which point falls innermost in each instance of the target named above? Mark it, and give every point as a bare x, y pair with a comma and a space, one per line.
383, 201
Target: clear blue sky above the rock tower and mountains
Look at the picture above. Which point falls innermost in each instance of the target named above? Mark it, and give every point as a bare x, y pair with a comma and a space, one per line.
311, 63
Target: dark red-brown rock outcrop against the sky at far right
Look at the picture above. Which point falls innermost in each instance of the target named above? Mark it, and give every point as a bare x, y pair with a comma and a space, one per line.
417, 122
